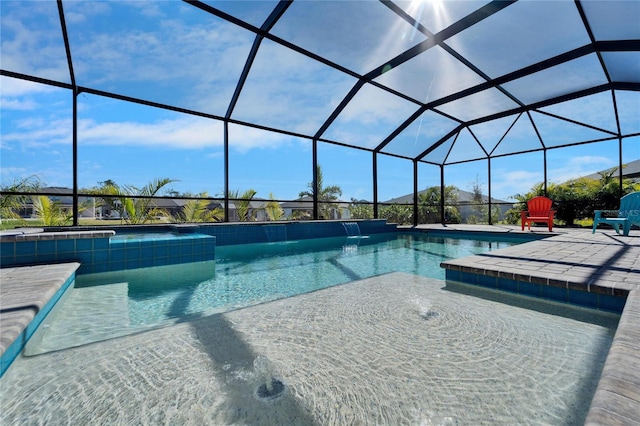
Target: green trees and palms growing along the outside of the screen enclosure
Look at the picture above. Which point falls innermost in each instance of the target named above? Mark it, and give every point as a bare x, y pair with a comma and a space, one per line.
574, 200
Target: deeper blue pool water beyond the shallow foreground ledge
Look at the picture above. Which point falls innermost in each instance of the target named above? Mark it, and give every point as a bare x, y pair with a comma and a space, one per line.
111, 304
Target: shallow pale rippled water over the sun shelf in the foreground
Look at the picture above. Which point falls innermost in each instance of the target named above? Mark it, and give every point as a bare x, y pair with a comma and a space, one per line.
395, 349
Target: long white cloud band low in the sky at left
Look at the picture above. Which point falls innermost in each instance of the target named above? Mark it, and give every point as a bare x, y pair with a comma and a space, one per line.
45, 129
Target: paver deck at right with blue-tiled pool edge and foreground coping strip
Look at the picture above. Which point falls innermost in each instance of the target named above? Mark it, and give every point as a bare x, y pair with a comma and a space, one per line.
578, 262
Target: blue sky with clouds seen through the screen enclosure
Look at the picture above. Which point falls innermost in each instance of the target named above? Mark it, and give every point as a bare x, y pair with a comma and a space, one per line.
175, 54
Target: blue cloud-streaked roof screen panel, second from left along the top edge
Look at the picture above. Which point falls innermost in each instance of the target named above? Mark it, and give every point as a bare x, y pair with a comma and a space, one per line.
193, 64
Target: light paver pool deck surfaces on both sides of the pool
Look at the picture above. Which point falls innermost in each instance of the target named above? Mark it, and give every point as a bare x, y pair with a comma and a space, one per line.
603, 262
